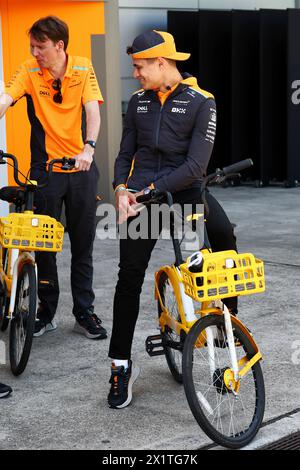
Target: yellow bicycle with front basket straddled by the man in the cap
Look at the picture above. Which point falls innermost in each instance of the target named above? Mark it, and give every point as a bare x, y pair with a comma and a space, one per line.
207, 348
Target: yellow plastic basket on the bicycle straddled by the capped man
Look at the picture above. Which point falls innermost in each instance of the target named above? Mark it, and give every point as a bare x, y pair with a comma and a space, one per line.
224, 274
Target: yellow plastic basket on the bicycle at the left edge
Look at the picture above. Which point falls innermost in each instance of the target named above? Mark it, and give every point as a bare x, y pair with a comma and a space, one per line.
31, 232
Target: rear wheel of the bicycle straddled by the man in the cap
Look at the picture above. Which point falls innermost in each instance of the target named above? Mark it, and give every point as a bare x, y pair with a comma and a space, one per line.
172, 342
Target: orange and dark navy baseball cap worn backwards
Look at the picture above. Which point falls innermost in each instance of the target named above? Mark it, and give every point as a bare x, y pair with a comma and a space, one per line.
154, 44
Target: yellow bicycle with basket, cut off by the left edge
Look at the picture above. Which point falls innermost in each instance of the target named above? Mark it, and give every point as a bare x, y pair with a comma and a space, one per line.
22, 233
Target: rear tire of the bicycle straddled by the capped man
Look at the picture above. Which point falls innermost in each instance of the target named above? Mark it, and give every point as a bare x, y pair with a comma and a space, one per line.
173, 357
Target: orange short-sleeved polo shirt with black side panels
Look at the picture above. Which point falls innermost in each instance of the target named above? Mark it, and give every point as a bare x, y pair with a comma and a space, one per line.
57, 130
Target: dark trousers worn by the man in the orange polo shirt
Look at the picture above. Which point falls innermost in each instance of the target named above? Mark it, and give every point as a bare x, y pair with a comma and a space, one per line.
78, 192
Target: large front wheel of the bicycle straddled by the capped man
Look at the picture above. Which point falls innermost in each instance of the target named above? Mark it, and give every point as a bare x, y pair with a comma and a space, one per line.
209, 399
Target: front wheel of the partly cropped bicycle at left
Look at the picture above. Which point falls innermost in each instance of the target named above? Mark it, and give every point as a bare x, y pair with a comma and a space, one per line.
23, 319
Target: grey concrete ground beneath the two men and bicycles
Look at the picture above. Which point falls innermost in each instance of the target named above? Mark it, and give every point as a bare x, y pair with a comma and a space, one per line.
60, 400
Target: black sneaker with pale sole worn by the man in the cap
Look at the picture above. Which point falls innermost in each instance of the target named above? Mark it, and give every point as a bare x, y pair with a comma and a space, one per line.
121, 381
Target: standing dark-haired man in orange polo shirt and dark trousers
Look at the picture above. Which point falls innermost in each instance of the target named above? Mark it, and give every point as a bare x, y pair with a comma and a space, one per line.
63, 99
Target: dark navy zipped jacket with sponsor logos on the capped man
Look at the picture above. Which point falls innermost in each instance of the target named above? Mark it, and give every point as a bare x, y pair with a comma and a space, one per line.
167, 146
